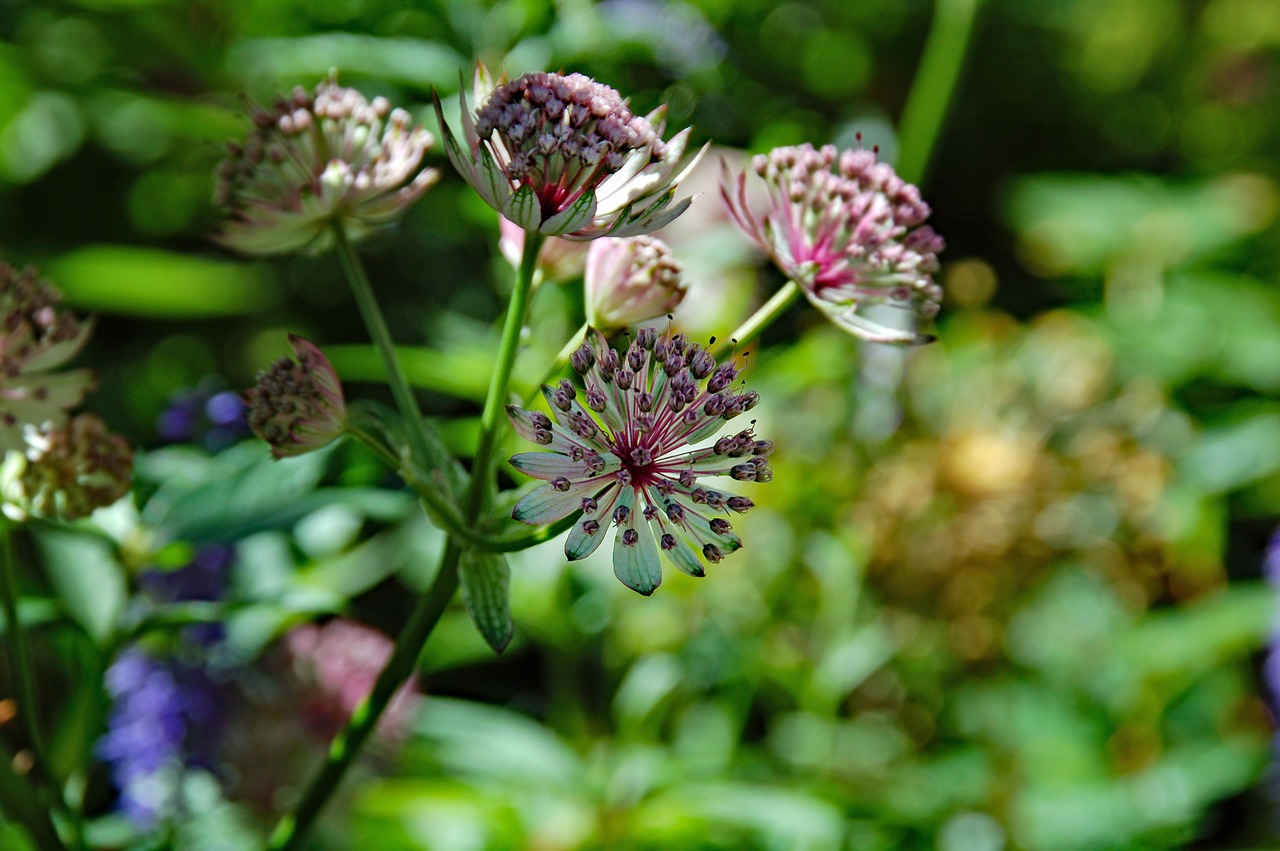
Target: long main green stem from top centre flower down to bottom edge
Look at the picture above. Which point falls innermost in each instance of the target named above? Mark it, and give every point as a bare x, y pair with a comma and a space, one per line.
409, 647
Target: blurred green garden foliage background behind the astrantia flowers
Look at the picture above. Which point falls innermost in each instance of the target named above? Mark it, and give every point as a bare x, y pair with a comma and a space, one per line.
1005, 592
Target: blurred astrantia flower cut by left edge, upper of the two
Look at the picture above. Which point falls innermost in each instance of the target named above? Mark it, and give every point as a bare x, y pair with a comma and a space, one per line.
36, 337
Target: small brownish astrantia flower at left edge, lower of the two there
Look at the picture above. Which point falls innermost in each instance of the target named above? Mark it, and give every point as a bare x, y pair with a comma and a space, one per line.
67, 472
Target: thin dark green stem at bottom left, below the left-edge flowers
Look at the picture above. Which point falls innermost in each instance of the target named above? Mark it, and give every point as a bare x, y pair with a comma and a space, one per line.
25, 685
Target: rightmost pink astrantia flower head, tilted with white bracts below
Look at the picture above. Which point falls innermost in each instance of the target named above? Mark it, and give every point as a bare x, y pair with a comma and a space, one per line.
848, 231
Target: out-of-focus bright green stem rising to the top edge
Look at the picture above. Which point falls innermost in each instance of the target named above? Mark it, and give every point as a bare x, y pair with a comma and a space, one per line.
935, 85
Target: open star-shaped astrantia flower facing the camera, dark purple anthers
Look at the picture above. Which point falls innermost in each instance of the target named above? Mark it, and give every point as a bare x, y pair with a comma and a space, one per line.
628, 457
